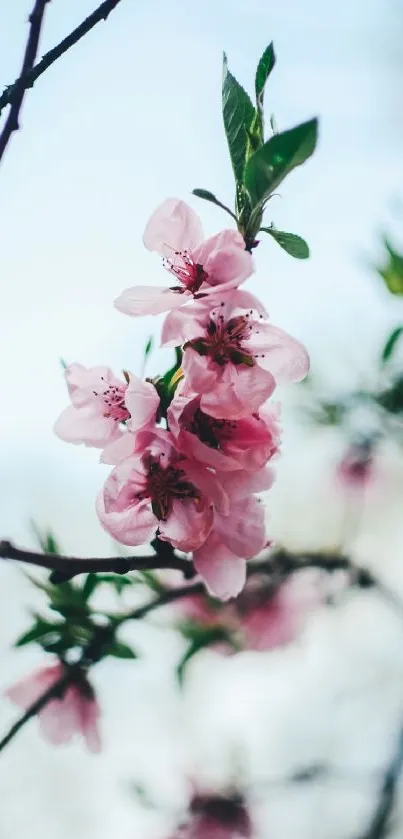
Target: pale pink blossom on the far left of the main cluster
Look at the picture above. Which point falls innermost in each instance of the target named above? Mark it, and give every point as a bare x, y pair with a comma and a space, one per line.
105, 408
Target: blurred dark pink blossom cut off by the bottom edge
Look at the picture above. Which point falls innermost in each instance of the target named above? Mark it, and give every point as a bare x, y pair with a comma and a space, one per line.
215, 817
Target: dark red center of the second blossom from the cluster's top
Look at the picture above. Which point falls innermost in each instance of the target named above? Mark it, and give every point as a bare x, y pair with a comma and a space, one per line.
224, 340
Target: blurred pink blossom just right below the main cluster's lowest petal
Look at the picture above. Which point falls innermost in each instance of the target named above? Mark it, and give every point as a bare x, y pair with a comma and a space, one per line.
272, 621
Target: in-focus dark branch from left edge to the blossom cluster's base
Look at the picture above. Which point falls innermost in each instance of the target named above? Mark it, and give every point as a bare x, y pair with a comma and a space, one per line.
66, 567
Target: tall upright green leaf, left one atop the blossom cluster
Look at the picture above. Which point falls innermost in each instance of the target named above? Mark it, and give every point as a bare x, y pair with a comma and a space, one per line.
238, 115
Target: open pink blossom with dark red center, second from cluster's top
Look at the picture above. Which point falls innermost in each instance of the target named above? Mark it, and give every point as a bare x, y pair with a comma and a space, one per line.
233, 357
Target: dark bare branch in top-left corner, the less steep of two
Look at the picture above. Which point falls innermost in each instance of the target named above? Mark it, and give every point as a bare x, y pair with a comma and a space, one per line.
29, 76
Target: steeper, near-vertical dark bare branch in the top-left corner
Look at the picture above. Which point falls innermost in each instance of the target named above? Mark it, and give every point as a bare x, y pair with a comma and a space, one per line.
31, 49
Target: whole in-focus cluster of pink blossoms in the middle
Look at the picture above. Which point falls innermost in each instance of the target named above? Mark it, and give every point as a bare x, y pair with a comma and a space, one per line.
189, 456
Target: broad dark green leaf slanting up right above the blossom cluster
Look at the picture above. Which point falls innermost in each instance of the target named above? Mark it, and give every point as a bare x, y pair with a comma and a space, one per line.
268, 167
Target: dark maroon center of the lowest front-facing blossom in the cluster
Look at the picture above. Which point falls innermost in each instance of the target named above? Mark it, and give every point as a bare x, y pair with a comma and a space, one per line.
163, 484
